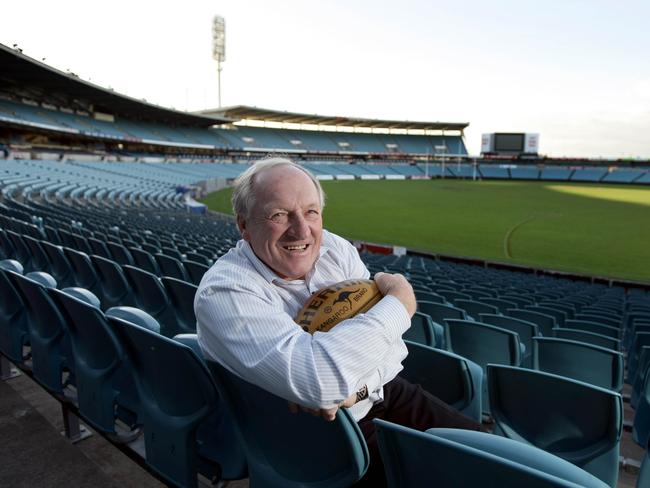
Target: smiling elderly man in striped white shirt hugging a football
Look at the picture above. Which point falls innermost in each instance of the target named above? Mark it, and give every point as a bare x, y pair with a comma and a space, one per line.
246, 303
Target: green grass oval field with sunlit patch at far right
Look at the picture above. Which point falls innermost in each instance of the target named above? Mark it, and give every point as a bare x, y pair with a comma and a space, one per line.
601, 230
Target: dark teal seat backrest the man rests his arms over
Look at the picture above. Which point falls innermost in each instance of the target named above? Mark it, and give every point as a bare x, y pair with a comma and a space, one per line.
286, 450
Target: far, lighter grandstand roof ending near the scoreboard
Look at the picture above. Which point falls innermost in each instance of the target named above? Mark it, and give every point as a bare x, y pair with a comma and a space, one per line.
243, 112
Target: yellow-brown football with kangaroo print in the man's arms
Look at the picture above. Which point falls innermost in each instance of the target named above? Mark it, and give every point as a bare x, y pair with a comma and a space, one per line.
332, 304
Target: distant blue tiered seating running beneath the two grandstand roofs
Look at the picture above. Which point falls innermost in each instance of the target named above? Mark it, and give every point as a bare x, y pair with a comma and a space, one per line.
236, 138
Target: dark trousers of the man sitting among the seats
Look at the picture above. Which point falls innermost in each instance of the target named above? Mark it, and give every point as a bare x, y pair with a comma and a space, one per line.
408, 405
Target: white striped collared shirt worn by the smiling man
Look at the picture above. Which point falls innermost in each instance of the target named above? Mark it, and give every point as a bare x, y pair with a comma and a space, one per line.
245, 322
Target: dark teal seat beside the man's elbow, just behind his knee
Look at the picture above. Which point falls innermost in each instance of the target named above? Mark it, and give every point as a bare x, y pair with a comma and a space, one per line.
448, 376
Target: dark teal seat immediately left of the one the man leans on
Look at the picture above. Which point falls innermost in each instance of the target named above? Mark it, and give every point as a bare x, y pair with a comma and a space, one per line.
178, 395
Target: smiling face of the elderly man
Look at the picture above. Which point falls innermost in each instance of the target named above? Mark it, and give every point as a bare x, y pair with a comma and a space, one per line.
284, 225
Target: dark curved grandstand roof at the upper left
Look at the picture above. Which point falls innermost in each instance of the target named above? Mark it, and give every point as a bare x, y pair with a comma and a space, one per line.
17, 69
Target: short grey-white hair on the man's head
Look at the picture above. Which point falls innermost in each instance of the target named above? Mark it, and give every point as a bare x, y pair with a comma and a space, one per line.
243, 194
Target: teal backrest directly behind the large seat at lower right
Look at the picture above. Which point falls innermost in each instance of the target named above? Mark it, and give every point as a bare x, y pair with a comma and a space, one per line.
585, 362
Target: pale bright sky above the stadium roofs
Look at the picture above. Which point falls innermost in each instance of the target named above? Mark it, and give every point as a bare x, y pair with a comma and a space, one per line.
576, 72
